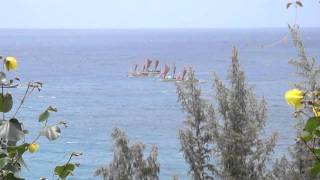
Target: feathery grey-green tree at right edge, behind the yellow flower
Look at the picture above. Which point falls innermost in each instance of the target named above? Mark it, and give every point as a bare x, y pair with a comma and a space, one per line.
309, 71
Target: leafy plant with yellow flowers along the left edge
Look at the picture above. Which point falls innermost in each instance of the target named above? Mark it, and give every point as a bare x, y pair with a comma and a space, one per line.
12, 131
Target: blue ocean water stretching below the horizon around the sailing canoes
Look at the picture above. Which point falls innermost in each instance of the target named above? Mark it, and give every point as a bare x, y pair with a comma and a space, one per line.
84, 72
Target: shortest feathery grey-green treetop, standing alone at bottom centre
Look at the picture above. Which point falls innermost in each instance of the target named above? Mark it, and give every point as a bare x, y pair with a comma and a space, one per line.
128, 162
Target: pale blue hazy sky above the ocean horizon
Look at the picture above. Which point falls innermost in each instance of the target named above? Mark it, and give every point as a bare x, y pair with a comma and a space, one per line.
140, 14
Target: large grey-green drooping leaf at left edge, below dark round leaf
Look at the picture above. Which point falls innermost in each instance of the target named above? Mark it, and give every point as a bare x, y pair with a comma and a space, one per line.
12, 131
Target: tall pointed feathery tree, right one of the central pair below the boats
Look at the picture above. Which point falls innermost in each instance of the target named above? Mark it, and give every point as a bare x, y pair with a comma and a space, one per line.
243, 154
